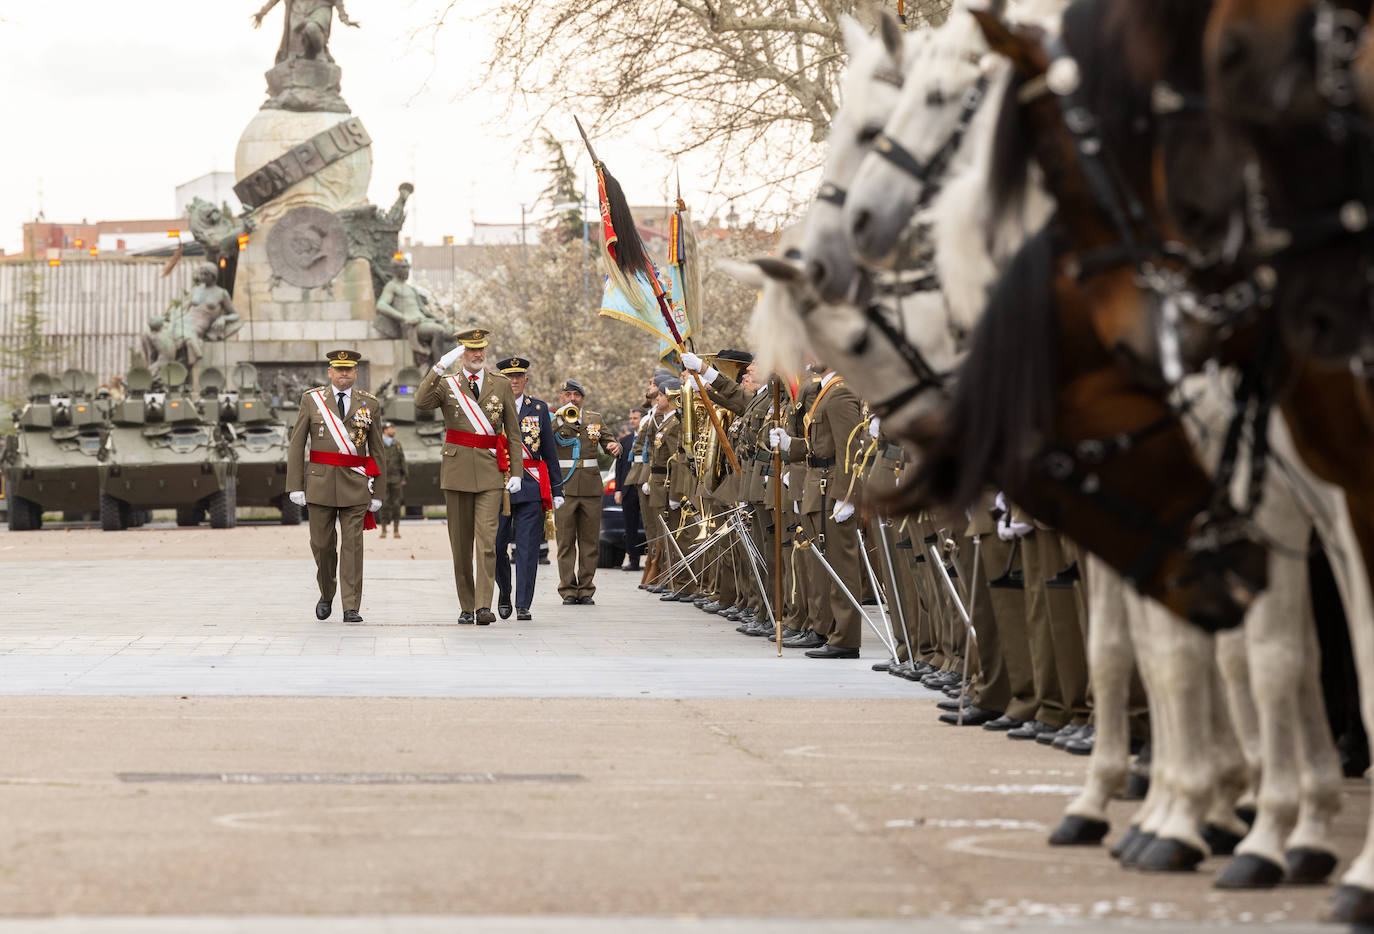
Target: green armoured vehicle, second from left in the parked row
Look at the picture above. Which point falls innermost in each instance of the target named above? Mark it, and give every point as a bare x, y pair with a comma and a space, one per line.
164, 453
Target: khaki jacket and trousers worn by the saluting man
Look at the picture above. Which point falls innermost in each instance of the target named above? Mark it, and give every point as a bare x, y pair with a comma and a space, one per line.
472, 481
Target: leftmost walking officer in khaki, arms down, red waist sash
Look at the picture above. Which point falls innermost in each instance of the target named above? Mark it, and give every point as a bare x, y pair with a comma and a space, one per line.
332, 468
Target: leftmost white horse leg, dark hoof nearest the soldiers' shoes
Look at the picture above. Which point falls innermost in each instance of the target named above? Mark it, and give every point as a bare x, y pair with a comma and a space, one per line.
1111, 660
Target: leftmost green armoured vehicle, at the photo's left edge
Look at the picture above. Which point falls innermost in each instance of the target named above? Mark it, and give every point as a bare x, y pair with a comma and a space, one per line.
50, 464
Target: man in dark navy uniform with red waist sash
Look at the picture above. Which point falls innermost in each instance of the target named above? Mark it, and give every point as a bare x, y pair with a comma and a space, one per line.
541, 492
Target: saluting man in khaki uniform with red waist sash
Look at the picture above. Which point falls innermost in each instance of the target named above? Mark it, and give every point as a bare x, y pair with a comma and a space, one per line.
480, 464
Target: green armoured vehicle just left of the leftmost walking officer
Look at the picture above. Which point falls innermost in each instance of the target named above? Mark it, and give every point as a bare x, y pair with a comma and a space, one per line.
260, 440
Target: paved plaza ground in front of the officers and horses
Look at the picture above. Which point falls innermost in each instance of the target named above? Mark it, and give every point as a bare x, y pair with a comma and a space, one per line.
190, 751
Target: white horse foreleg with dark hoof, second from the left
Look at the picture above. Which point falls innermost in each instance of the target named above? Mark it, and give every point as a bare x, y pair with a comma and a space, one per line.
1188, 676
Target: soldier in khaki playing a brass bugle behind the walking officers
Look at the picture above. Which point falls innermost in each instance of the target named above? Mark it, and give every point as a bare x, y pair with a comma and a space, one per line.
579, 435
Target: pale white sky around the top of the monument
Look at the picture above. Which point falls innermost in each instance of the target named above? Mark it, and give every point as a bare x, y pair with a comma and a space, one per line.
109, 105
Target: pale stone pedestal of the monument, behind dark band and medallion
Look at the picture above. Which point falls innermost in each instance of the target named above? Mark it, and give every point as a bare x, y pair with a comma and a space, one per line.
285, 326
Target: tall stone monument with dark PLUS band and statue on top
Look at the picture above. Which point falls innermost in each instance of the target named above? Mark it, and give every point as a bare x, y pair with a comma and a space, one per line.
310, 256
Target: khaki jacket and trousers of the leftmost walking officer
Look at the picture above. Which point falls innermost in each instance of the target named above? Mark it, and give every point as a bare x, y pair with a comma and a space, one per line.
333, 494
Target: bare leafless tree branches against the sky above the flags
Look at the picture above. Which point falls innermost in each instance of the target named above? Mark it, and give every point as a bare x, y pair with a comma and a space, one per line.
752, 83
